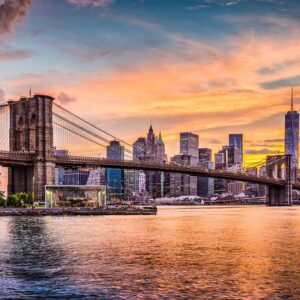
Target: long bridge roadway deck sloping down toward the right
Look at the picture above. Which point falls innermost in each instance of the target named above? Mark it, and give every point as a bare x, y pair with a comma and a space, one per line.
9, 158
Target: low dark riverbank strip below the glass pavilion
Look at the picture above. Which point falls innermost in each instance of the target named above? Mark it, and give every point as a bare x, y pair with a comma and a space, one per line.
145, 210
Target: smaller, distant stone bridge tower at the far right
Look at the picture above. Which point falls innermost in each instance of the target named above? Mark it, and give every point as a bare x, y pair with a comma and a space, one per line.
279, 166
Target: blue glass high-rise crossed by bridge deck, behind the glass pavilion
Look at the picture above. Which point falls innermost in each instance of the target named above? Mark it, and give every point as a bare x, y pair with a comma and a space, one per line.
115, 177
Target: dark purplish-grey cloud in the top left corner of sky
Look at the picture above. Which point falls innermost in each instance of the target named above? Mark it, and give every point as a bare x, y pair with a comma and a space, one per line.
12, 12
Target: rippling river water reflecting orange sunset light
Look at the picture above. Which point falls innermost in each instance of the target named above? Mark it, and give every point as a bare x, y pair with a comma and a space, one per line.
182, 253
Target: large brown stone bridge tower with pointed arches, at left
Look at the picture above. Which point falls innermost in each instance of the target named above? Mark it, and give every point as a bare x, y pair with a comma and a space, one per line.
31, 130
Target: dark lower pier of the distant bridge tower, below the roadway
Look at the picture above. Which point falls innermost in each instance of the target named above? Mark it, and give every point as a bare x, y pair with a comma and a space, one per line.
279, 195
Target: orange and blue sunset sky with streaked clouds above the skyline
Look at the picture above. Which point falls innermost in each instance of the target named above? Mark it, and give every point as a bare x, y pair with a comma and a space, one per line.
213, 67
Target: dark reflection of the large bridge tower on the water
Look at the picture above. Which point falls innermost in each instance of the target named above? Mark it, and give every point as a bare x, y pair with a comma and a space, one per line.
36, 262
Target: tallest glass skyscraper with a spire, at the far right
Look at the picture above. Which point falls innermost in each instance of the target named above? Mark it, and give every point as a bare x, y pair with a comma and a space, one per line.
292, 133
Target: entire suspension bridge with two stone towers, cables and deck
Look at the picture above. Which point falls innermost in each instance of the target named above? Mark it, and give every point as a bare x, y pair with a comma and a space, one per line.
32, 127
